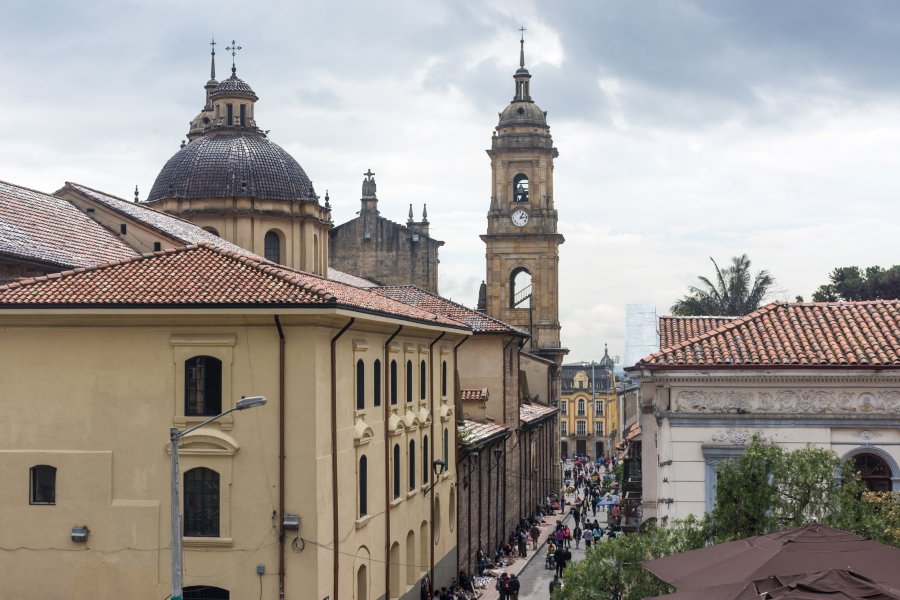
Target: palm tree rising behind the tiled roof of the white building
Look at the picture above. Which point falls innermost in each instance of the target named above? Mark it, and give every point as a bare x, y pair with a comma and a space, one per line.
731, 295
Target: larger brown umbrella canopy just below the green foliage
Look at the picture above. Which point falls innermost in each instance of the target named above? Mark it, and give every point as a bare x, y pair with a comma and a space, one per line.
808, 549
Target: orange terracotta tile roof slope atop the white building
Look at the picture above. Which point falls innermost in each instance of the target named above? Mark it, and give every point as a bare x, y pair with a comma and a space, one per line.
817, 334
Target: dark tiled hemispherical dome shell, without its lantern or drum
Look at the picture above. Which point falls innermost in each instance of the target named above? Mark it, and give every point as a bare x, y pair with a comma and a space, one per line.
228, 164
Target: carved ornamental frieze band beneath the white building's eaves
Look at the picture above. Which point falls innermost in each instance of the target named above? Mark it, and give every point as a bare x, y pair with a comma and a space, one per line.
788, 401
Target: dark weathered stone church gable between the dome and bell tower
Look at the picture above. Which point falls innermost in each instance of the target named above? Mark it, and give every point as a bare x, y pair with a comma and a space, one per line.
383, 251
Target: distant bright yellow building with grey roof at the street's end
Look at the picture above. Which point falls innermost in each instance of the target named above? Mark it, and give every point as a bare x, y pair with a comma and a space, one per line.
588, 408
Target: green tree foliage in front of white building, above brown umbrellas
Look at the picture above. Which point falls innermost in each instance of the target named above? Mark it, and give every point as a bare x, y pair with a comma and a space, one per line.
767, 489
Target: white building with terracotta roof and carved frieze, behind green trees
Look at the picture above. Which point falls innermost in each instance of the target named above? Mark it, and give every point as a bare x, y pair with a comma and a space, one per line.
826, 374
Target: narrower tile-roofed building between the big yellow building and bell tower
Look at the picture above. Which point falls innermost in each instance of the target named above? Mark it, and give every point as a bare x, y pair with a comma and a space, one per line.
508, 448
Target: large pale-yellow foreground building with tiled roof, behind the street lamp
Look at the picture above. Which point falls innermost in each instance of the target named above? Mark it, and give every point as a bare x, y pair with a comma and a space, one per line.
97, 369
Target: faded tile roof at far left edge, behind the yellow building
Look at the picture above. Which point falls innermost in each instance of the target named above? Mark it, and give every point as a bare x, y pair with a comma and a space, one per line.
39, 227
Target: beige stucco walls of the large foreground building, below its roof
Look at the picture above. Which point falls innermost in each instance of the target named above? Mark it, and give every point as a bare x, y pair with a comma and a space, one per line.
94, 395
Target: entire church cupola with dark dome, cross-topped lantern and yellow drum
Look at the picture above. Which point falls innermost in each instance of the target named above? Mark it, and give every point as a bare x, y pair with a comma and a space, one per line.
233, 181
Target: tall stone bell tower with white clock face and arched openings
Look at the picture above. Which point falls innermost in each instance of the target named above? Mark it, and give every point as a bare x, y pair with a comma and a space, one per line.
522, 243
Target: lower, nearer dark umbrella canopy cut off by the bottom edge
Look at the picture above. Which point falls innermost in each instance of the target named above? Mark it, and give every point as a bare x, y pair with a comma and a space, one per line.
833, 584
